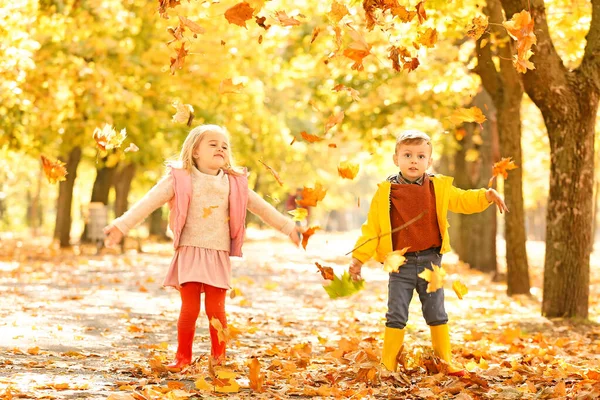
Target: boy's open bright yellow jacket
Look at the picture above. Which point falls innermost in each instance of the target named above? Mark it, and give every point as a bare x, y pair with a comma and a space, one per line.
447, 198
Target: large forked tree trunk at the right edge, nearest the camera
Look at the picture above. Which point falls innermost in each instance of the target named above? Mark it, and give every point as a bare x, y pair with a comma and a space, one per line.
568, 101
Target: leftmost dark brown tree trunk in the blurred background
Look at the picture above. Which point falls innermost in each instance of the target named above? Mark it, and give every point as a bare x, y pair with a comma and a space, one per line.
62, 228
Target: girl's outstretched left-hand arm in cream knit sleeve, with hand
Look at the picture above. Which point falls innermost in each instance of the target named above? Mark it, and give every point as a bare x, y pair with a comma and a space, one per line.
157, 196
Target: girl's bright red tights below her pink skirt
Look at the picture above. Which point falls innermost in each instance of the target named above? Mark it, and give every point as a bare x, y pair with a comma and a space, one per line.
214, 305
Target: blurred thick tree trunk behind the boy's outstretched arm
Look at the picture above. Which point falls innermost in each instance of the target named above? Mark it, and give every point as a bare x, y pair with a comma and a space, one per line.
477, 231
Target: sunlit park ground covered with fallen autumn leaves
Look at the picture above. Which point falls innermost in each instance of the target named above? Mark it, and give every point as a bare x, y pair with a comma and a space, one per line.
74, 325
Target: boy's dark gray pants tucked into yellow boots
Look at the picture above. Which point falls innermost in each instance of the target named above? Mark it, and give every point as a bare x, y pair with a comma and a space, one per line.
405, 281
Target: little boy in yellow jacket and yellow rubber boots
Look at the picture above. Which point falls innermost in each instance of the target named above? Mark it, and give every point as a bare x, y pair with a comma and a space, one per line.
400, 199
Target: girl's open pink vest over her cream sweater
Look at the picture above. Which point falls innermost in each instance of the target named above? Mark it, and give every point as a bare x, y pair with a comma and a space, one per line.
238, 203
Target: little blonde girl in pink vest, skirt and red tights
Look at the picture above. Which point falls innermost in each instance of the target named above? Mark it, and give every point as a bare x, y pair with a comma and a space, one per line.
208, 198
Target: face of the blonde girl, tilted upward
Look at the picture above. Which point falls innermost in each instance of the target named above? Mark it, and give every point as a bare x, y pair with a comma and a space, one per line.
212, 153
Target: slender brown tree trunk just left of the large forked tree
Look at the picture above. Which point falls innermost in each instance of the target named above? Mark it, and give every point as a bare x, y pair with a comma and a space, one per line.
506, 90
